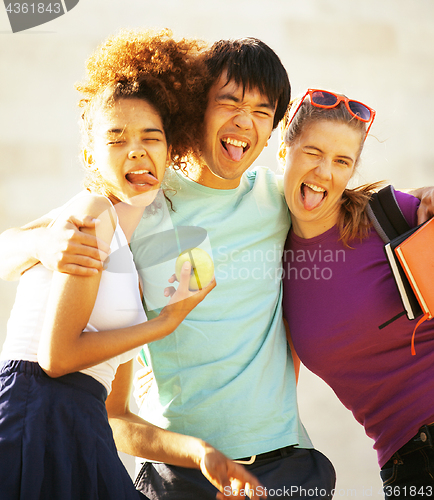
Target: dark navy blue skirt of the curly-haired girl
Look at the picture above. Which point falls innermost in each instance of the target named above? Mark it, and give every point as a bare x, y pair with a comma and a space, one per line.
55, 439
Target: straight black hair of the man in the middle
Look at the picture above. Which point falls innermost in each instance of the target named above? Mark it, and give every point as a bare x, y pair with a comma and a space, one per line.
252, 64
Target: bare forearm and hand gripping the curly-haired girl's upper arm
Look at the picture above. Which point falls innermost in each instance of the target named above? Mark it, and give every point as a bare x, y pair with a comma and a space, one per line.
60, 247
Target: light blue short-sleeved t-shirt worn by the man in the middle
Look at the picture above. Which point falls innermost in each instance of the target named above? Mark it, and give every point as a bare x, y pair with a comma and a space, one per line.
226, 374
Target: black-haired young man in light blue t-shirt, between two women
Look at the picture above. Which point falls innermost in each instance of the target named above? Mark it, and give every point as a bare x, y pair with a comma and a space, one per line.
226, 374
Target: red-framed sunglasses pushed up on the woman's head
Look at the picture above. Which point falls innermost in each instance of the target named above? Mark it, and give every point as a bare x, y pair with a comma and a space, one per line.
327, 100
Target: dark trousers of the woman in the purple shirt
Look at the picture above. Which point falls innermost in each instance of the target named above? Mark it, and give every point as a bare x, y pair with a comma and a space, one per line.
410, 471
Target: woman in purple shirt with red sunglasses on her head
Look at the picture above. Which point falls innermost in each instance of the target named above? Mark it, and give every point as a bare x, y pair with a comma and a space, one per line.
338, 288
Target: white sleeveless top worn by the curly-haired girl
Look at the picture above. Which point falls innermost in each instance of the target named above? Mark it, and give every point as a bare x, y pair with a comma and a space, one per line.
117, 305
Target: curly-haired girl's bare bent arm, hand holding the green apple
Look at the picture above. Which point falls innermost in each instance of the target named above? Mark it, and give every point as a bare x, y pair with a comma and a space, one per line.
64, 347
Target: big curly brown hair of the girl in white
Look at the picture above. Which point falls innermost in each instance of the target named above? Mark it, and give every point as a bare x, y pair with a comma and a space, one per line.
150, 65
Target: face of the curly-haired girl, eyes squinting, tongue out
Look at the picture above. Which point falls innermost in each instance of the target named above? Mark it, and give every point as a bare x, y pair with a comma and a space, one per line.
129, 150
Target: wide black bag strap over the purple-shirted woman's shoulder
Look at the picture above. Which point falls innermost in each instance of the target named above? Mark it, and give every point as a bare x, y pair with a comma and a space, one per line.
386, 215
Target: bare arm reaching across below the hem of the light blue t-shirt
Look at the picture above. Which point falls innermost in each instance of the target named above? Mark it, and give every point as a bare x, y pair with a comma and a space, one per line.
137, 437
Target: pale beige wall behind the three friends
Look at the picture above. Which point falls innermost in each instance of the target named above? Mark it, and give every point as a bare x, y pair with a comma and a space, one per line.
381, 53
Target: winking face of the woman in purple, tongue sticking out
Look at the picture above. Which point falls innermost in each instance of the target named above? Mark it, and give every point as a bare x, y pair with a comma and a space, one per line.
319, 164
